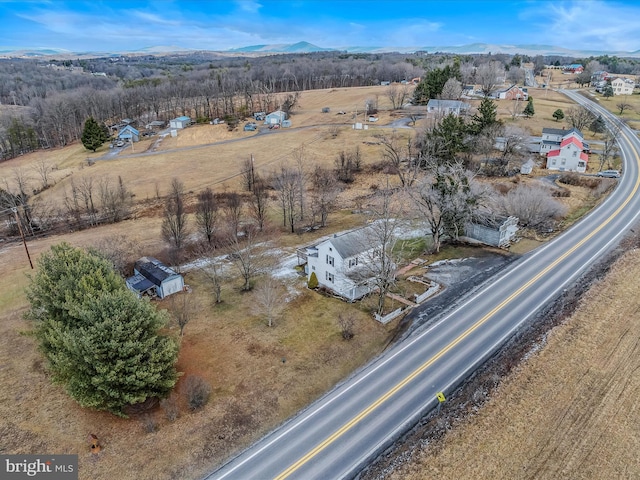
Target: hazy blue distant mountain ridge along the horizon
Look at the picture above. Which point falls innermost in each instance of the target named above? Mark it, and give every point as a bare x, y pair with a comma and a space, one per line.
306, 47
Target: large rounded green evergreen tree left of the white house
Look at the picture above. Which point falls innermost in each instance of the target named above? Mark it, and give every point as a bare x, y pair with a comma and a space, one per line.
100, 341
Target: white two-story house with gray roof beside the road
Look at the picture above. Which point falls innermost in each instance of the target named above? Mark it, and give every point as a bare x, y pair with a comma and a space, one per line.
340, 262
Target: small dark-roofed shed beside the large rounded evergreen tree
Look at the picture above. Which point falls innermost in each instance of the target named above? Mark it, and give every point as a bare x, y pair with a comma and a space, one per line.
153, 277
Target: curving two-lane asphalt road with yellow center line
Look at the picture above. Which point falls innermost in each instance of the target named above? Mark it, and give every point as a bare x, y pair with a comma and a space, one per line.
342, 432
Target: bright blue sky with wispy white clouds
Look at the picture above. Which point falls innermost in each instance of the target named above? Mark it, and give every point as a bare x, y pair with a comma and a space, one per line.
117, 25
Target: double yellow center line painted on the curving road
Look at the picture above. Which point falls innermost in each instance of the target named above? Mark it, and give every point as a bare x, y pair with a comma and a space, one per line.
372, 407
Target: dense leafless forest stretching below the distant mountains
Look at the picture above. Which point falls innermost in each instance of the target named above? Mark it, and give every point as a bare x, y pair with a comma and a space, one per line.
44, 104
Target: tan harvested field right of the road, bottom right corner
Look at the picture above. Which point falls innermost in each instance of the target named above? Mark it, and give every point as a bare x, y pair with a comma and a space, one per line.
570, 411
